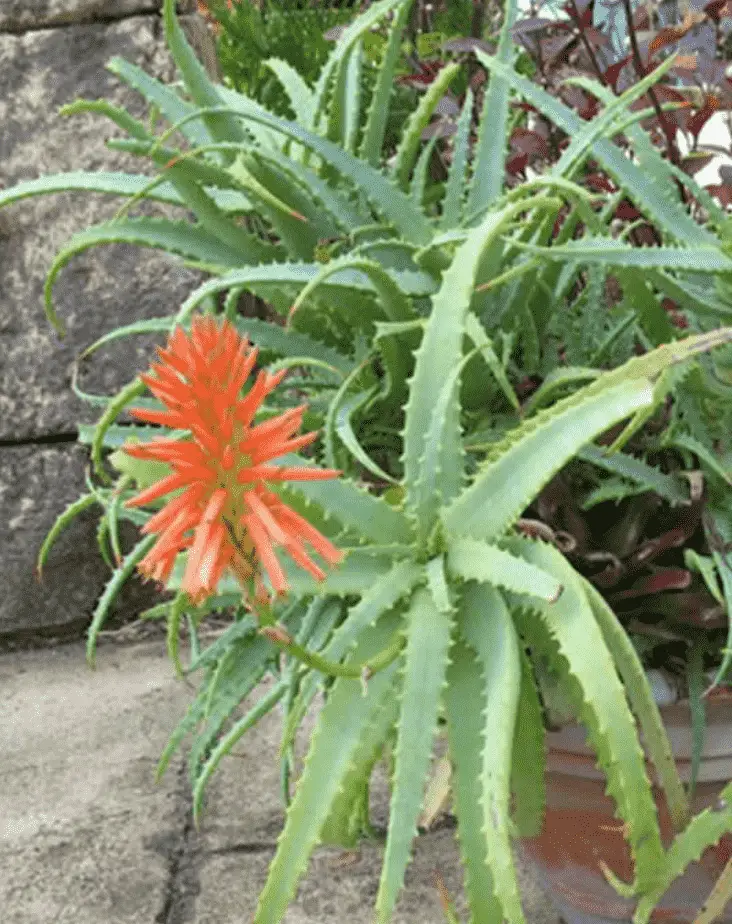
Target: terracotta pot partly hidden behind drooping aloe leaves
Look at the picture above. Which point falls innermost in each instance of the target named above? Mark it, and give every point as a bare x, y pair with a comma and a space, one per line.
581, 829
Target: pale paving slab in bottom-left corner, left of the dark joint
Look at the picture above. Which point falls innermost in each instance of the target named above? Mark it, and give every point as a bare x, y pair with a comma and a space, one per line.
85, 834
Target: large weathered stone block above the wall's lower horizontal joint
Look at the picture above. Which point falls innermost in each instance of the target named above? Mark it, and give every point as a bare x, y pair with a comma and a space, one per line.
104, 287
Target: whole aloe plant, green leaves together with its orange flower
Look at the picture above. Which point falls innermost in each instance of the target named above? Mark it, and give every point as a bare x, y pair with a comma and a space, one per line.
423, 312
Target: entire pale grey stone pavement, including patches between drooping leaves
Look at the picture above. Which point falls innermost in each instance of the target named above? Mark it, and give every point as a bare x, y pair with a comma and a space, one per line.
87, 836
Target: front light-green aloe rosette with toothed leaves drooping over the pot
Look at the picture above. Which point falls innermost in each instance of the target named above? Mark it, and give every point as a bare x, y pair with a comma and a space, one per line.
461, 606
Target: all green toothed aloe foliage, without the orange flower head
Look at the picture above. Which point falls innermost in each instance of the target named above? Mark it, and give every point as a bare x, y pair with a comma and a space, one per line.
407, 311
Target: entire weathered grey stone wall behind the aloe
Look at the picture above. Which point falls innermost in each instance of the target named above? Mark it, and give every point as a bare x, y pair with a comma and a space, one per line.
51, 52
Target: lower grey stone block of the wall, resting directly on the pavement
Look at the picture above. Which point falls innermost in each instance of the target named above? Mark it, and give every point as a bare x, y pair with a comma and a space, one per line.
36, 484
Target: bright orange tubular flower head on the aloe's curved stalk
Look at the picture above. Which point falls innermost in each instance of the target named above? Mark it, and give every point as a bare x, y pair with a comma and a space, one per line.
225, 515
